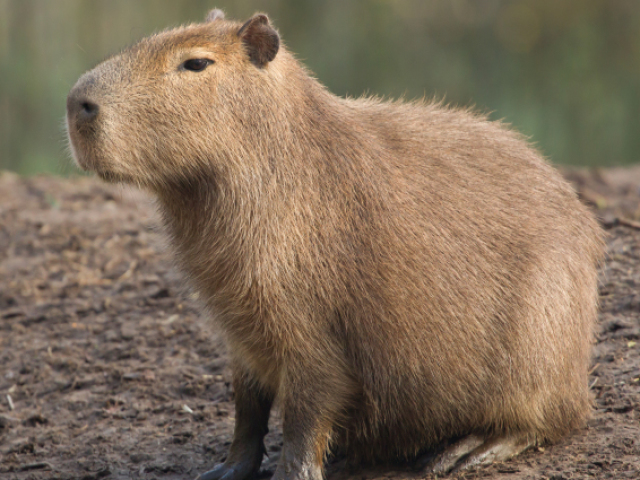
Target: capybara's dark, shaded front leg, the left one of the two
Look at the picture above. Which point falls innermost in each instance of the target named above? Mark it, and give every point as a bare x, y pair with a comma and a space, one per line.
253, 405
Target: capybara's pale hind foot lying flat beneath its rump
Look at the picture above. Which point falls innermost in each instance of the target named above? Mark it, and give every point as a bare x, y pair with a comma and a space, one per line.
474, 450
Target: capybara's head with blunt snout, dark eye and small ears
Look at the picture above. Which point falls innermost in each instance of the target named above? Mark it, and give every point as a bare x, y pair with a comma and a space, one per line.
178, 102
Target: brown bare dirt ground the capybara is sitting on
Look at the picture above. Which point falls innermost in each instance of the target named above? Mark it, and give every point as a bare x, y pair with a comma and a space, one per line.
107, 369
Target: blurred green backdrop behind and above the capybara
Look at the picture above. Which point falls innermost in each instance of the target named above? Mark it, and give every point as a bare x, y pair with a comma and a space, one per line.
564, 72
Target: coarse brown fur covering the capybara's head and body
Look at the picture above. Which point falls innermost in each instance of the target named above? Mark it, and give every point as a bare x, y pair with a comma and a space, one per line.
392, 274
